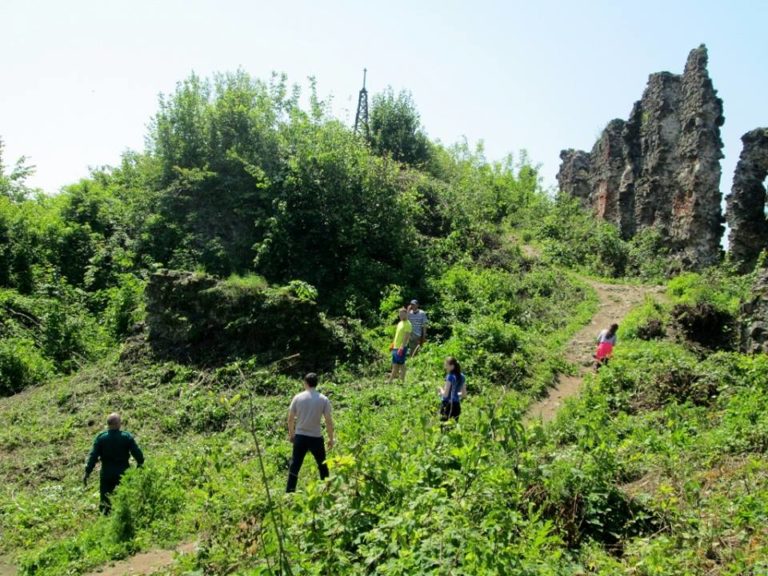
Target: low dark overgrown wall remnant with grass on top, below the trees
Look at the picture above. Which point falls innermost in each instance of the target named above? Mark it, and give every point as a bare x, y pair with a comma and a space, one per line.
196, 317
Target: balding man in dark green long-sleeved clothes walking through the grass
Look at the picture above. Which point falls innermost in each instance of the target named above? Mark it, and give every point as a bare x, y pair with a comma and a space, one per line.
114, 448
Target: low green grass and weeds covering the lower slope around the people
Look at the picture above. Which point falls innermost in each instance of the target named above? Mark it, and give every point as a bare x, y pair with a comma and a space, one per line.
657, 468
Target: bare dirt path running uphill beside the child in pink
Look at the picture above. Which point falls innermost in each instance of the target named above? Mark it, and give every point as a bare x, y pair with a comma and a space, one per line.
615, 300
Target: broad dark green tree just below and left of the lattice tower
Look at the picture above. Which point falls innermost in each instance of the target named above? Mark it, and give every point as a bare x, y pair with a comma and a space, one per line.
341, 220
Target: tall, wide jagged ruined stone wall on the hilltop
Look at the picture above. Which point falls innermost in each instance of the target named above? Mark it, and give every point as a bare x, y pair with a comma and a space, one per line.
661, 167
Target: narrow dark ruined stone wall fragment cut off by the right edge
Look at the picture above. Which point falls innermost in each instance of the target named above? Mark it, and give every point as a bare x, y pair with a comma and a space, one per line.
747, 201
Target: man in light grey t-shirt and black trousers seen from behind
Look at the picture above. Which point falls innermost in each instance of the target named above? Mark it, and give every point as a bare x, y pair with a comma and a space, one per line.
305, 416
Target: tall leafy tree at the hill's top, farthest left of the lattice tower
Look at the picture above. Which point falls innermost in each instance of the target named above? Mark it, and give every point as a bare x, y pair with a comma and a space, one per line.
218, 147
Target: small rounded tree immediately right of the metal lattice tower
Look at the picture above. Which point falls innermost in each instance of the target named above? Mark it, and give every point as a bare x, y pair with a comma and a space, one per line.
396, 128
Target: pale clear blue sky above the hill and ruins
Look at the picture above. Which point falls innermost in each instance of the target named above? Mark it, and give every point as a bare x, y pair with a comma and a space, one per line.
80, 78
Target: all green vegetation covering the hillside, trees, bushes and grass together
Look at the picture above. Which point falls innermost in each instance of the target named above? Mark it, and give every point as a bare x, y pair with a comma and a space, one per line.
300, 237
